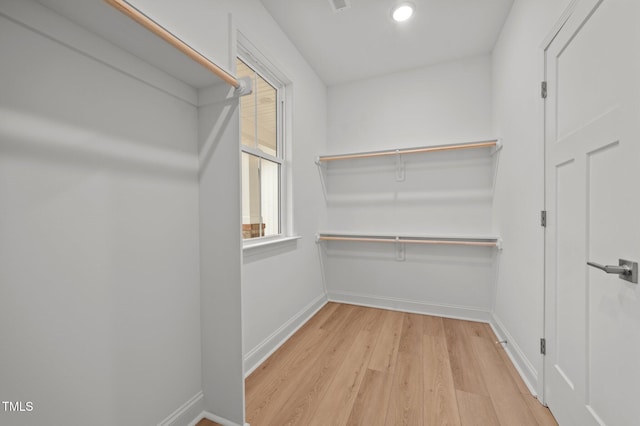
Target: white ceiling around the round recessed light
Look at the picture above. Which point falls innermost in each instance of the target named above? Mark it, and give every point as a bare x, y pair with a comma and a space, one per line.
363, 41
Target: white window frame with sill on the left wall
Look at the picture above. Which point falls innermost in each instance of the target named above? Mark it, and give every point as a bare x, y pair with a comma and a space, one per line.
251, 56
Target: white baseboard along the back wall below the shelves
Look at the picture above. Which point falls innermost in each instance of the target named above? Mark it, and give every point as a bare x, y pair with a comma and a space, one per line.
412, 306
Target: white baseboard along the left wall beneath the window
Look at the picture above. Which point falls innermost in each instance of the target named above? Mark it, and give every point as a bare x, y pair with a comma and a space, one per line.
268, 346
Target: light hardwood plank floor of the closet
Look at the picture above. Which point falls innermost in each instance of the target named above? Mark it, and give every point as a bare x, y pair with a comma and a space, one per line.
351, 365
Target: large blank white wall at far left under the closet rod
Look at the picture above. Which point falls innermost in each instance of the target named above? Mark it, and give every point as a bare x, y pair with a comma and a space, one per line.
99, 239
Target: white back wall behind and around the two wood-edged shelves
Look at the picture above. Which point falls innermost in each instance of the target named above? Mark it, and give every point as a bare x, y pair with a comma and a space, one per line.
445, 194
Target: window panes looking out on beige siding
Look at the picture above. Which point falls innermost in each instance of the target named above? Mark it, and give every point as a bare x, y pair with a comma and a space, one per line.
262, 154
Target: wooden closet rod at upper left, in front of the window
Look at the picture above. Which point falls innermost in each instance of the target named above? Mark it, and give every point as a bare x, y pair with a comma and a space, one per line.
167, 36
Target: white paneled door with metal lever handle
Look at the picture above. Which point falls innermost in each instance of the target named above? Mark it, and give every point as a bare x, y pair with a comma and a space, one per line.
592, 142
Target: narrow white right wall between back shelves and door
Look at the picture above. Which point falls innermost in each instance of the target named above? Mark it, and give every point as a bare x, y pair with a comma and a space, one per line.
517, 73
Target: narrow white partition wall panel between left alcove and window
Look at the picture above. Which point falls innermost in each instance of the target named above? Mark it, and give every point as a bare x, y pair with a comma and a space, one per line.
222, 372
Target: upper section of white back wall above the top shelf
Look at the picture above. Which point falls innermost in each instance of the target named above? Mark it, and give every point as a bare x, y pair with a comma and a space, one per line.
445, 103
